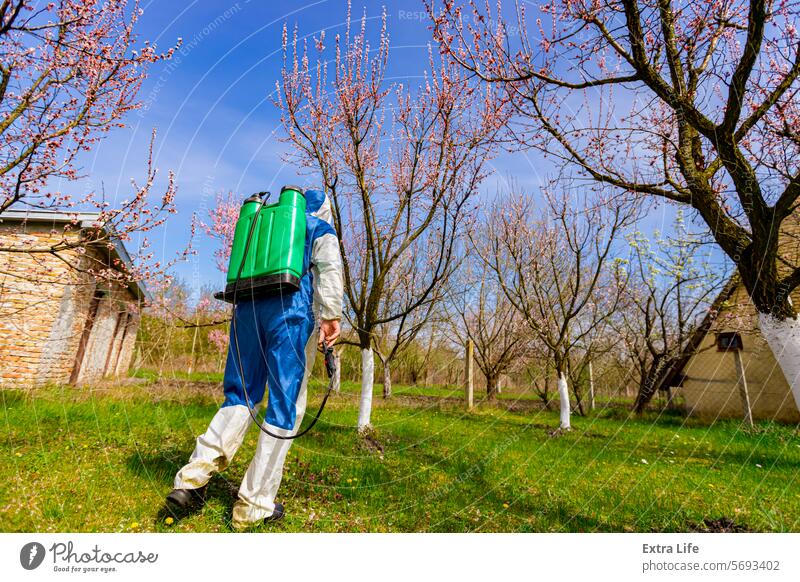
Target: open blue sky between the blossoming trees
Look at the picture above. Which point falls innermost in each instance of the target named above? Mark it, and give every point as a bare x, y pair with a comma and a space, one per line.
217, 126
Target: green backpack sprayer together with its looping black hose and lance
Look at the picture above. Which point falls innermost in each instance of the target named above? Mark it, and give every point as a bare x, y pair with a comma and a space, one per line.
276, 267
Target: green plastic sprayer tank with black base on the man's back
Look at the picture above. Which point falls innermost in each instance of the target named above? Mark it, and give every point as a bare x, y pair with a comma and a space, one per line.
274, 257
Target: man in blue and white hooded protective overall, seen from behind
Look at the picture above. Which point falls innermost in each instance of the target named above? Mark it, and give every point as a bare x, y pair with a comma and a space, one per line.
277, 341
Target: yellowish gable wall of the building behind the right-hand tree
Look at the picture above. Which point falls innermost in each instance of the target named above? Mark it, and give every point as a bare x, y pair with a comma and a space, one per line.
711, 389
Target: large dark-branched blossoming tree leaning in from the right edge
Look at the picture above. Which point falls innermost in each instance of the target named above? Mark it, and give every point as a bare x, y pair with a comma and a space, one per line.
691, 102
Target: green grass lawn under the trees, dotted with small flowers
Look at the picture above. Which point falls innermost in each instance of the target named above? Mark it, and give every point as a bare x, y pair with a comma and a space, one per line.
103, 460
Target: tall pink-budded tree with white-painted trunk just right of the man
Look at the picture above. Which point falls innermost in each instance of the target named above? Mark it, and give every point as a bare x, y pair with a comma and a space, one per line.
400, 167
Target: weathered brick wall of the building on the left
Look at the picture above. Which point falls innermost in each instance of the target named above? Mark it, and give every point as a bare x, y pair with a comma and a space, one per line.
43, 310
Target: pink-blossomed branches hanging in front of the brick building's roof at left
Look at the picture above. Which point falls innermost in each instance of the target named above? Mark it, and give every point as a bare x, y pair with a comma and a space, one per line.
69, 73
